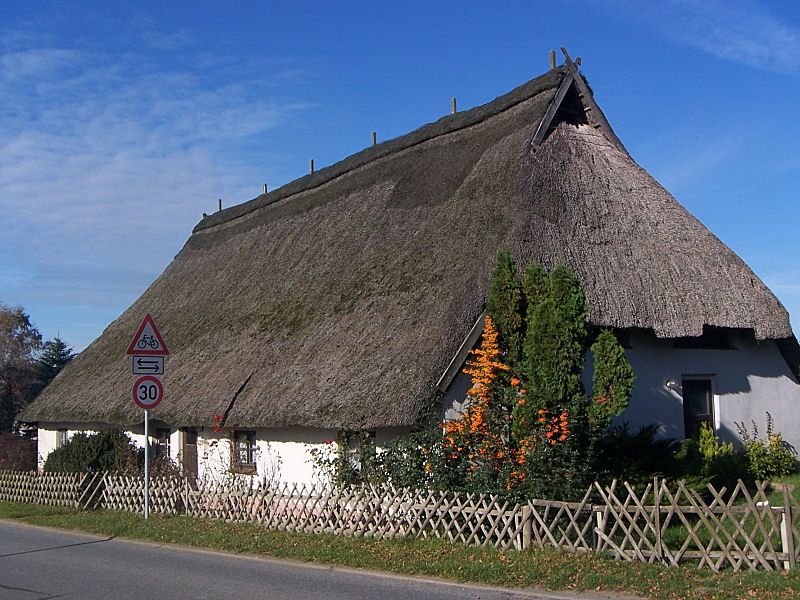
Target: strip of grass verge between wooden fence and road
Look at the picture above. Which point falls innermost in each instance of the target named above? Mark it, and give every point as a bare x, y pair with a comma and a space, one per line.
430, 558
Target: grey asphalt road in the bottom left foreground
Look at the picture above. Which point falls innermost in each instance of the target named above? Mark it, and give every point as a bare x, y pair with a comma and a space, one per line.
38, 563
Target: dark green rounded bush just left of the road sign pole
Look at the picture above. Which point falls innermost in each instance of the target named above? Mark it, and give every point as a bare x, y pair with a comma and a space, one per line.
109, 450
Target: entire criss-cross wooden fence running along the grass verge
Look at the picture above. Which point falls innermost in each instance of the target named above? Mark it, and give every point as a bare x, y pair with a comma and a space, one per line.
664, 523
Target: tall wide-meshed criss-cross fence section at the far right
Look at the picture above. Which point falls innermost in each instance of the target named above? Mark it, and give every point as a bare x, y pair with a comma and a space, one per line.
674, 524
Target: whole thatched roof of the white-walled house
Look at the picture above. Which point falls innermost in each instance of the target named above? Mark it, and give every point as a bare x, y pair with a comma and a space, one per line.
339, 299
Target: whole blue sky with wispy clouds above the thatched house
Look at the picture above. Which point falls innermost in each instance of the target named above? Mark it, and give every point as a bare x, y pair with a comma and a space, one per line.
122, 122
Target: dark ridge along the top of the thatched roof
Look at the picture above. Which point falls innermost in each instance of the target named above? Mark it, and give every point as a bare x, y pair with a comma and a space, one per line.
427, 132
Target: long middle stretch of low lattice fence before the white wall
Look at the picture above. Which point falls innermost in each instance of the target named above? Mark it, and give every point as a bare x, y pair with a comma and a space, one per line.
381, 512
